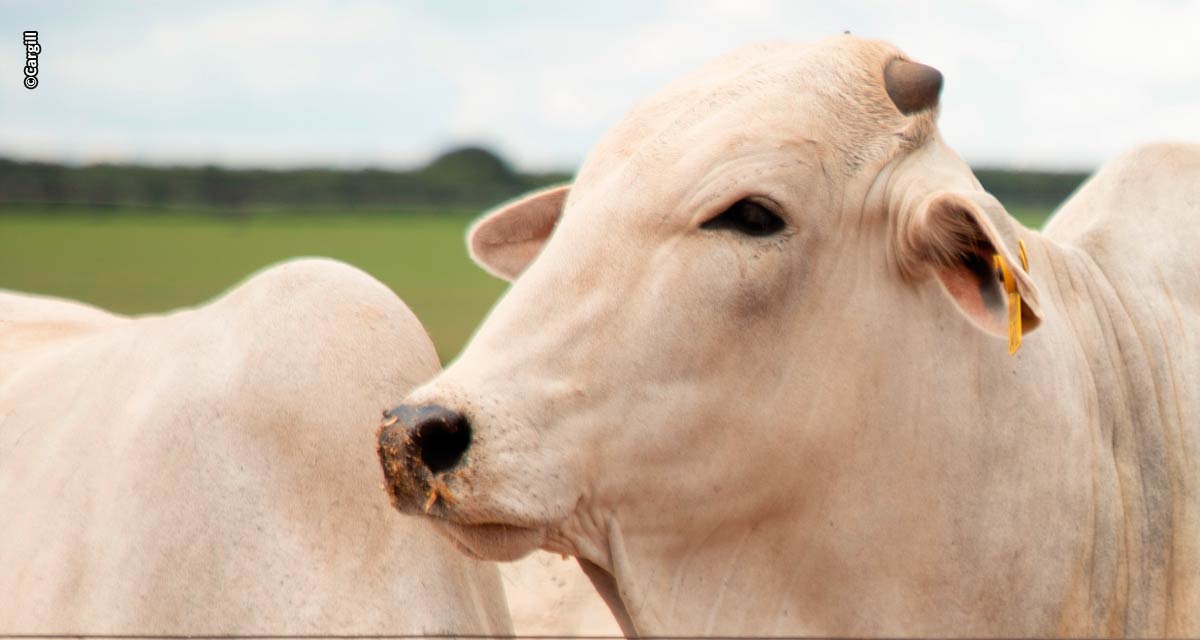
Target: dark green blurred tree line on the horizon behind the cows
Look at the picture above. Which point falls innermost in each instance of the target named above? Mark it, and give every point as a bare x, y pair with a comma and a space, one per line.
466, 178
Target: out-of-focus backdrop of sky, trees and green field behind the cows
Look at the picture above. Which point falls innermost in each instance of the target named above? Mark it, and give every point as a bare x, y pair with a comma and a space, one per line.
171, 149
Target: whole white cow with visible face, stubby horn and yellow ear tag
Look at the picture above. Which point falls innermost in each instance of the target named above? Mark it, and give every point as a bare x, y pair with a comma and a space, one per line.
757, 374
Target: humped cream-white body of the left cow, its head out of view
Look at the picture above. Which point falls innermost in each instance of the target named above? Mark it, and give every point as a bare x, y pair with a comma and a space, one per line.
214, 472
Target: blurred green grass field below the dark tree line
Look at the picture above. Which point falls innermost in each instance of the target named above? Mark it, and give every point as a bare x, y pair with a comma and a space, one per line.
137, 262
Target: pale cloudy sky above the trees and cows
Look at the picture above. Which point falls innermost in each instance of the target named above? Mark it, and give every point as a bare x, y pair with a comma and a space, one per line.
1060, 86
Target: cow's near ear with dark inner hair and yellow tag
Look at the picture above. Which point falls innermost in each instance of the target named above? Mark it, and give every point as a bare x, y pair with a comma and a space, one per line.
970, 243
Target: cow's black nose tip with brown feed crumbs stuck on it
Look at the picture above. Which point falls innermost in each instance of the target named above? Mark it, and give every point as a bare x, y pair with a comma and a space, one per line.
418, 446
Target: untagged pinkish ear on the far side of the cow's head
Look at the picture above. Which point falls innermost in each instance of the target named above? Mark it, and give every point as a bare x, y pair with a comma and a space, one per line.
508, 238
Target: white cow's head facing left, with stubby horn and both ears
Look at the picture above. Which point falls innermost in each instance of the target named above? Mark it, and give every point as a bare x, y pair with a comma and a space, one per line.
769, 289
